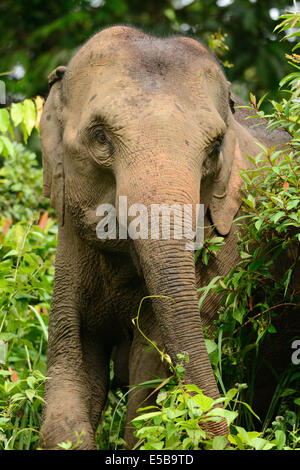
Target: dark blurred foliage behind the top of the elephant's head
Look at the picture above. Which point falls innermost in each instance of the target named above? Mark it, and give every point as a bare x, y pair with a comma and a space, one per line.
49, 33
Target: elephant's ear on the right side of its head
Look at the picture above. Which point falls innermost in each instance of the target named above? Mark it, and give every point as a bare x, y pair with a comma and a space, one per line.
227, 197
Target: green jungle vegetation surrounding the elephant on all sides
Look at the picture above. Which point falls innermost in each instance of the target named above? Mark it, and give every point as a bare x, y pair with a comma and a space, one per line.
36, 37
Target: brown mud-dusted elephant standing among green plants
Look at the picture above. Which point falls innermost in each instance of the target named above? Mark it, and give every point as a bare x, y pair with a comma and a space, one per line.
152, 119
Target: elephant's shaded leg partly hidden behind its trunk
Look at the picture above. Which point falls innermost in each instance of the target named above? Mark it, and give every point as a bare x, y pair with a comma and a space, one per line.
144, 365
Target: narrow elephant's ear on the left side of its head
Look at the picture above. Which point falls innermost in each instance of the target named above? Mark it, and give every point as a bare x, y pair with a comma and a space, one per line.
52, 150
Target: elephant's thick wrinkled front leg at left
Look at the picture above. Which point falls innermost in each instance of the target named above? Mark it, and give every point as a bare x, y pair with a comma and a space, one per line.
78, 360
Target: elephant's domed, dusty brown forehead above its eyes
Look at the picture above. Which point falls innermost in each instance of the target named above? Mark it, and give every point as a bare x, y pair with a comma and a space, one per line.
122, 71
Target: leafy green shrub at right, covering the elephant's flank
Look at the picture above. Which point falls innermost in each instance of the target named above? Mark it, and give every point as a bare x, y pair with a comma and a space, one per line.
261, 290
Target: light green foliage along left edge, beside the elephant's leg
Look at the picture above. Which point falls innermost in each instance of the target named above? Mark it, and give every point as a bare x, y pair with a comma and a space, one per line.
27, 248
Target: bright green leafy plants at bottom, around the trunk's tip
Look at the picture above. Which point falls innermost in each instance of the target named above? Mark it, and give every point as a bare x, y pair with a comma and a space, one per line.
183, 412
